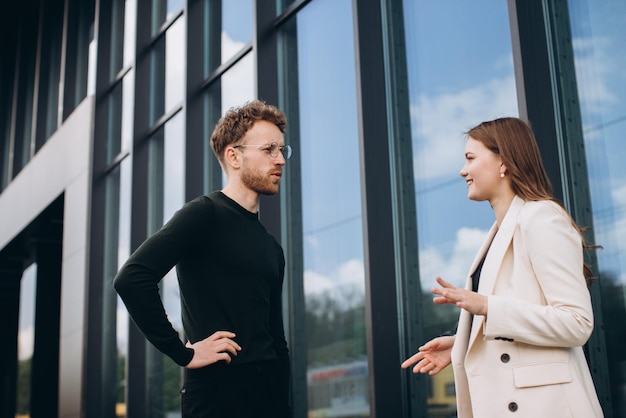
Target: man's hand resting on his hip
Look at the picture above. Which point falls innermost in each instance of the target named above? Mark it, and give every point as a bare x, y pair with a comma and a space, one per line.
218, 347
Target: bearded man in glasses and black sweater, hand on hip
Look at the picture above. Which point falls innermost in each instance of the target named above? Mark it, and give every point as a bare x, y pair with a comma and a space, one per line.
230, 274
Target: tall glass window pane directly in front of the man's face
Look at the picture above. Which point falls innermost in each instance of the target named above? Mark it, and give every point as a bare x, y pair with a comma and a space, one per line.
331, 211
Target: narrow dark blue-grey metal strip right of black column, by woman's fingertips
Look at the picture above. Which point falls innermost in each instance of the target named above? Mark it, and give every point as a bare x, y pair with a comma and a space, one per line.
405, 212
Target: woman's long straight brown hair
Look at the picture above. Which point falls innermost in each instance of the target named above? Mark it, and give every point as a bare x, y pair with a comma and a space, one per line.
514, 141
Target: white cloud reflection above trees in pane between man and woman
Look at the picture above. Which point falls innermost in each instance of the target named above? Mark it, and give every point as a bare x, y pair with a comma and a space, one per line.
343, 282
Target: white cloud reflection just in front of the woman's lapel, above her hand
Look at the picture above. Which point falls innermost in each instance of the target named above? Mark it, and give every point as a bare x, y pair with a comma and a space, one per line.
454, 268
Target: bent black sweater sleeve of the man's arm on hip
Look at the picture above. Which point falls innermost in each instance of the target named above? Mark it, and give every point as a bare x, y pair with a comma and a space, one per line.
137, 282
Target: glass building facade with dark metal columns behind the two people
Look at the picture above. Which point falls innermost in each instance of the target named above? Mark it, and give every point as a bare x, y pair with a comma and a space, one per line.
106, 108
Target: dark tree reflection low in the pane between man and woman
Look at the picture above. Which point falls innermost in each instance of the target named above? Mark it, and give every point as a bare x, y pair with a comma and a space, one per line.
335, 327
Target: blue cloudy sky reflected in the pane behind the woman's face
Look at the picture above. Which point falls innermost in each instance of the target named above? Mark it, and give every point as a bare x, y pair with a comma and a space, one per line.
460, 74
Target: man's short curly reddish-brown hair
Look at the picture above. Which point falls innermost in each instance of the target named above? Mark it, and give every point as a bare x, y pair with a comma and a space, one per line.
232, 127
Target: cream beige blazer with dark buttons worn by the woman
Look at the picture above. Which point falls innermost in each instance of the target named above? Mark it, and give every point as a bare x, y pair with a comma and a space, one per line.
525, 359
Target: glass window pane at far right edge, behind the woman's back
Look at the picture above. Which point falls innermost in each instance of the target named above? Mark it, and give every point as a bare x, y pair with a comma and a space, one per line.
598, 34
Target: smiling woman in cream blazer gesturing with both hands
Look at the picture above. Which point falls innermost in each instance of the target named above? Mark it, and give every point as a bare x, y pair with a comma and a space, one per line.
526, 309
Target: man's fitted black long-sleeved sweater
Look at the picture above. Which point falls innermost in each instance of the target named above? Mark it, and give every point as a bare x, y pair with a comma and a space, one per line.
230, 272
